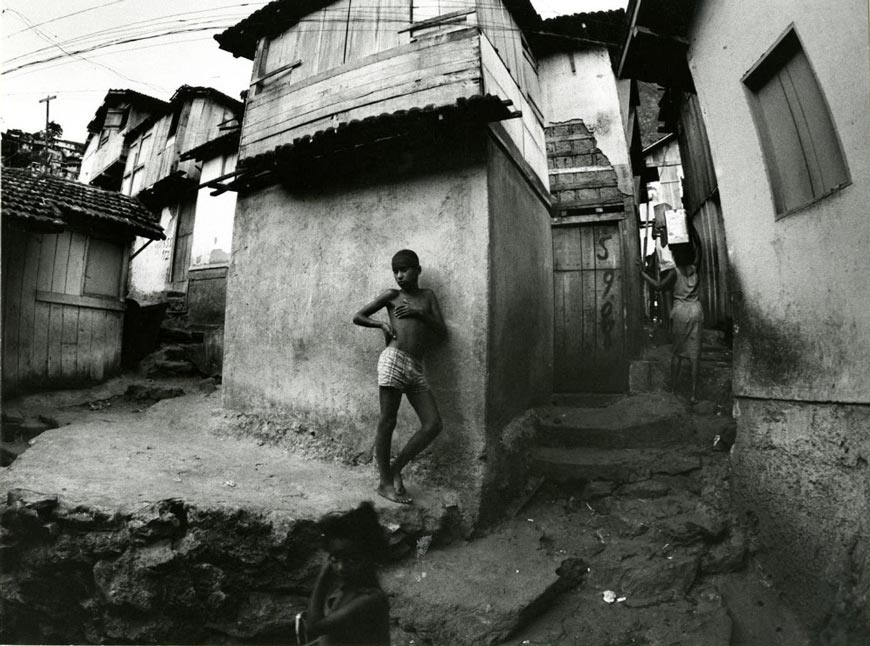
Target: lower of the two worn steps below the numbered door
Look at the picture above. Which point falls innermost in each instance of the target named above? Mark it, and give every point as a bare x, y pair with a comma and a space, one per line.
613, 465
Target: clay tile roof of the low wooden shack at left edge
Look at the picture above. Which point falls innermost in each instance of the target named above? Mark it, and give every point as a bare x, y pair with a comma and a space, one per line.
51, 203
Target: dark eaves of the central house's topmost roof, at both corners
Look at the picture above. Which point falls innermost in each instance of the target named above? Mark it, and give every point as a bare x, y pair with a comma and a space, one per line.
278, 16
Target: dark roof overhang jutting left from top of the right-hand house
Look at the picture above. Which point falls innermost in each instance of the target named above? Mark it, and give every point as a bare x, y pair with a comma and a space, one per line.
656, 43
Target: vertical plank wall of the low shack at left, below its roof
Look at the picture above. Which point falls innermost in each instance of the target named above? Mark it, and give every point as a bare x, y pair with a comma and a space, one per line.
49, 344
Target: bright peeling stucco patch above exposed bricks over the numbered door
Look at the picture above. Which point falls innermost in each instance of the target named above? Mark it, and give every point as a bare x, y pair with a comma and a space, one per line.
590, 93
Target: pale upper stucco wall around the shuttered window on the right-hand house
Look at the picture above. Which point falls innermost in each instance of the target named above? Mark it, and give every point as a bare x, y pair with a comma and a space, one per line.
803, 330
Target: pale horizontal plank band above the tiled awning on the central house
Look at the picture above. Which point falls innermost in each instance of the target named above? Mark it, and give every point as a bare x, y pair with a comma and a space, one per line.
436, 71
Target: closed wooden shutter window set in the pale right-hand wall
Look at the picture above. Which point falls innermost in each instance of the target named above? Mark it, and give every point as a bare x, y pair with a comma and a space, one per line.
802, 150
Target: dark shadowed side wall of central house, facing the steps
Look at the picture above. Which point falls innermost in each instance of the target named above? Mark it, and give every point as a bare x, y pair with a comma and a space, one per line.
521, 313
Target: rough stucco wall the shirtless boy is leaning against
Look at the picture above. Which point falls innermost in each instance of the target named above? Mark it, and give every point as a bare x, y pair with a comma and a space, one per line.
303, 264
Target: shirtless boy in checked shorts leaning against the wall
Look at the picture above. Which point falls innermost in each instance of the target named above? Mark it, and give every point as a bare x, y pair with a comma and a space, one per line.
415, 324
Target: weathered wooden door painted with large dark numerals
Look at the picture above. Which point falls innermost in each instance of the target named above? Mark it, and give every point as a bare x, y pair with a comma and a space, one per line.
590, 336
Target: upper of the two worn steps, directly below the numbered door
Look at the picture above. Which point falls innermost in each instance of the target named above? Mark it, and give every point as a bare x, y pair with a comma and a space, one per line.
643, 420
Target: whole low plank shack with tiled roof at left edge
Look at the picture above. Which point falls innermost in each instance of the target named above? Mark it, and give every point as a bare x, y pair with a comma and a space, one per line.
65, 255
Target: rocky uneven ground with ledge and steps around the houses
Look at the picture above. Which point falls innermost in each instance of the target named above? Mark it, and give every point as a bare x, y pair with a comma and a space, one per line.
143, 517
